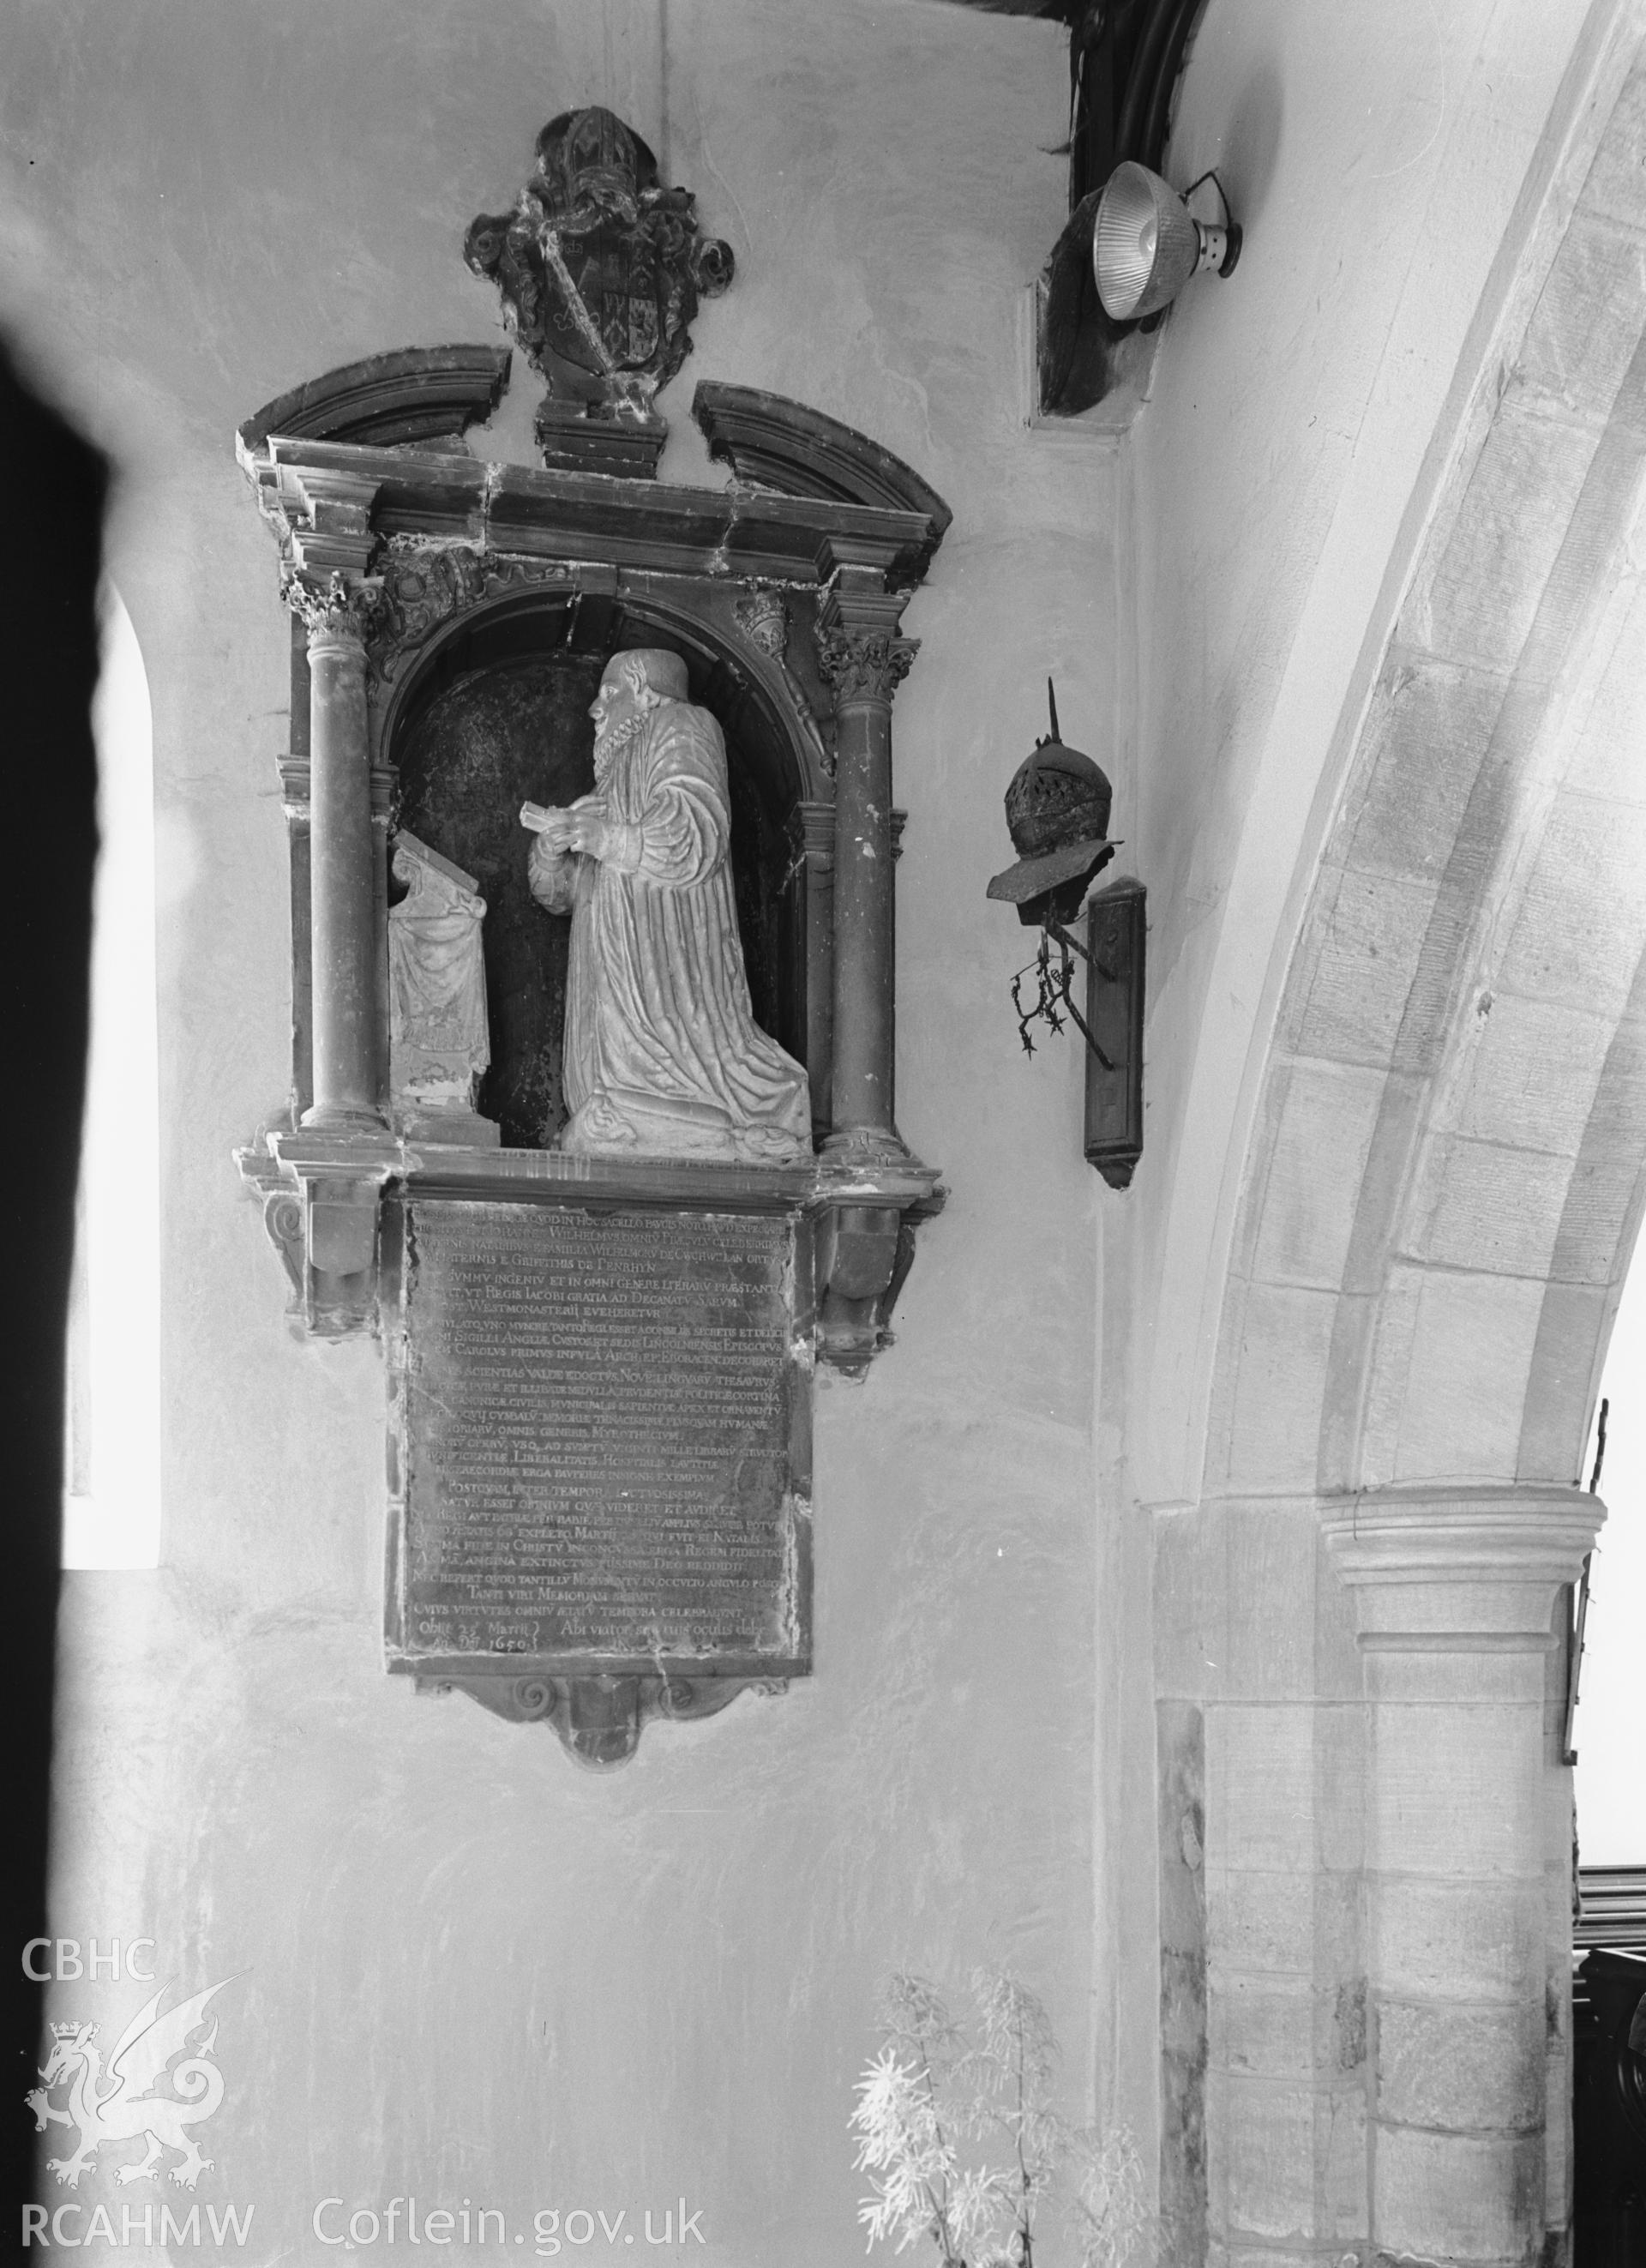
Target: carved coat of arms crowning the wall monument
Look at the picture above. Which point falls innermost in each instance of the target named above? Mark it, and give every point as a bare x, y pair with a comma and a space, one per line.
602, 269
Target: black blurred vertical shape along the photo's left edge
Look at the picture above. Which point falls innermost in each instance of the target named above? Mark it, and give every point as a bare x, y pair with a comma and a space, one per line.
49, 616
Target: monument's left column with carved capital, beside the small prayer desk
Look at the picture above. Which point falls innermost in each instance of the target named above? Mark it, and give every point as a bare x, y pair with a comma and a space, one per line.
343, 861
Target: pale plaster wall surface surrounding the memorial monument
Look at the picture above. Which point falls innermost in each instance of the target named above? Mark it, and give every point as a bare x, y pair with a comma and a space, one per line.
464, 1967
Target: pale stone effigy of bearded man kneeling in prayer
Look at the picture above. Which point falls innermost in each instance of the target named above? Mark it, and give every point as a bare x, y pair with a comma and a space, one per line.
661, 1051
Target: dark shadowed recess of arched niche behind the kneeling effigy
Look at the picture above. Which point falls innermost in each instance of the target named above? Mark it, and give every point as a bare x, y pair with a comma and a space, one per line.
493, 716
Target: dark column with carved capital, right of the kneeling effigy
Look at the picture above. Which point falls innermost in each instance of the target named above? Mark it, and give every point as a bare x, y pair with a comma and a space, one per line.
865, 661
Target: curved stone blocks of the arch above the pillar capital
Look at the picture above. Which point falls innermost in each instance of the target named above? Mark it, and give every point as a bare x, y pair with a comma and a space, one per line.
1461, 1029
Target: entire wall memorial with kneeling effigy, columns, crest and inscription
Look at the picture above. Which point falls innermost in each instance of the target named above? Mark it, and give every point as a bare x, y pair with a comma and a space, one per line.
602, 1328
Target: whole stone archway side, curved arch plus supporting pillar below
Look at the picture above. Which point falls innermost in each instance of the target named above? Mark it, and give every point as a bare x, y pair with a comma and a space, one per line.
1366, 1988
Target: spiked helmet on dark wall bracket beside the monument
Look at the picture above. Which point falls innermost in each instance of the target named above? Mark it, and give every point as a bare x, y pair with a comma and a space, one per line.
1058, 813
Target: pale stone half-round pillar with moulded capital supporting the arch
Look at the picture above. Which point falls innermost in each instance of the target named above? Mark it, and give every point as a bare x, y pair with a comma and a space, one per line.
1454, 1591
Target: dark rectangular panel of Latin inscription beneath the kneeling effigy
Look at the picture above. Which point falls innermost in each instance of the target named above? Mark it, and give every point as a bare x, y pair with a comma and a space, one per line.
602, 1437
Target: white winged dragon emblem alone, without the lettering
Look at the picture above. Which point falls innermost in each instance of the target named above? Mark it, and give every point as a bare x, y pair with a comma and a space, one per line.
119, 2104
